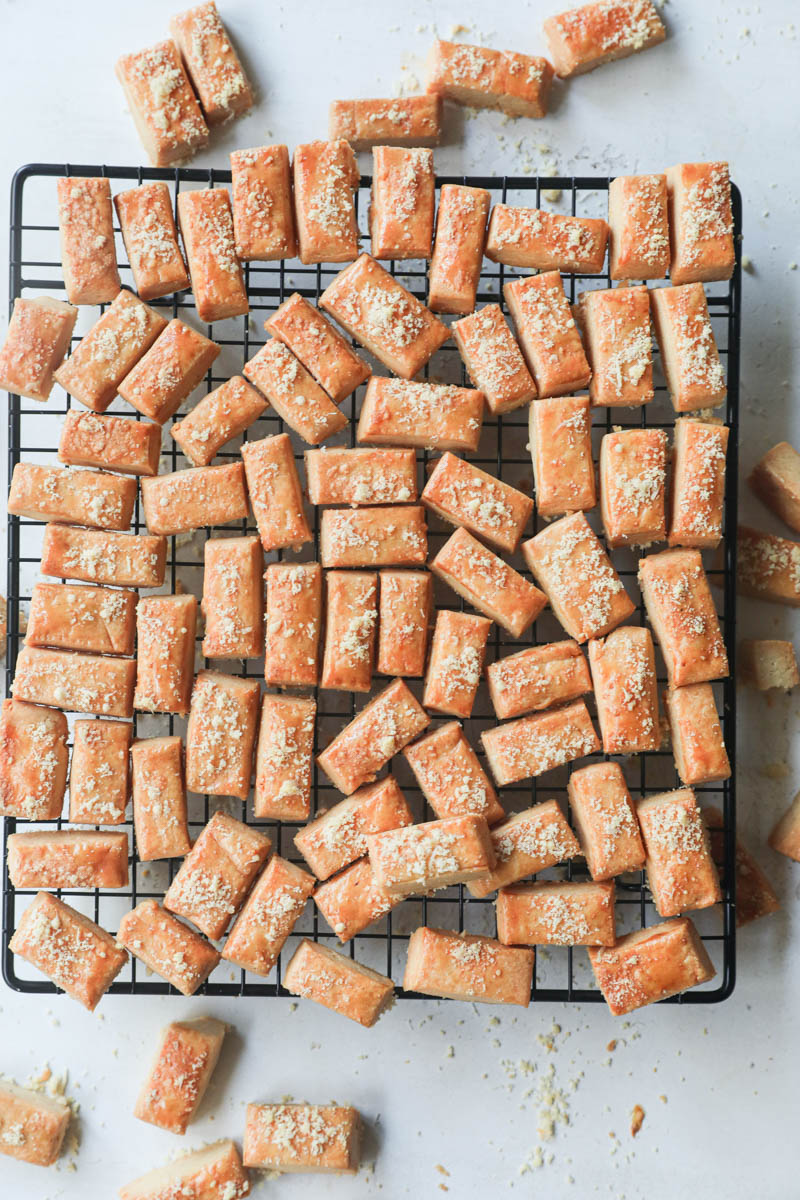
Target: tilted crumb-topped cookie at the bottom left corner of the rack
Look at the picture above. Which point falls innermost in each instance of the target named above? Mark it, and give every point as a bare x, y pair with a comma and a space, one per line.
75, 953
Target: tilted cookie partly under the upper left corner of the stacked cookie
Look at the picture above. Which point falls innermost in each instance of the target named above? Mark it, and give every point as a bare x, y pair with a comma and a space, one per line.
339, 836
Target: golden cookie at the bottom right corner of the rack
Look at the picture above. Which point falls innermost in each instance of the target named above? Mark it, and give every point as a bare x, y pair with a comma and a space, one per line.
651, 965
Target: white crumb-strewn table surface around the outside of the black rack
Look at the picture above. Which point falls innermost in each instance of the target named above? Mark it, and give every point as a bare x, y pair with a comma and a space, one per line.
436, 1081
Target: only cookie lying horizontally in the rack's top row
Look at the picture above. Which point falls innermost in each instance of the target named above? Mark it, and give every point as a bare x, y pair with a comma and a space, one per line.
546, 242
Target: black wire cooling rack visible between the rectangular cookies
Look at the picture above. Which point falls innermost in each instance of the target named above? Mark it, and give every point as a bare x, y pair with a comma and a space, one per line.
561, 974
